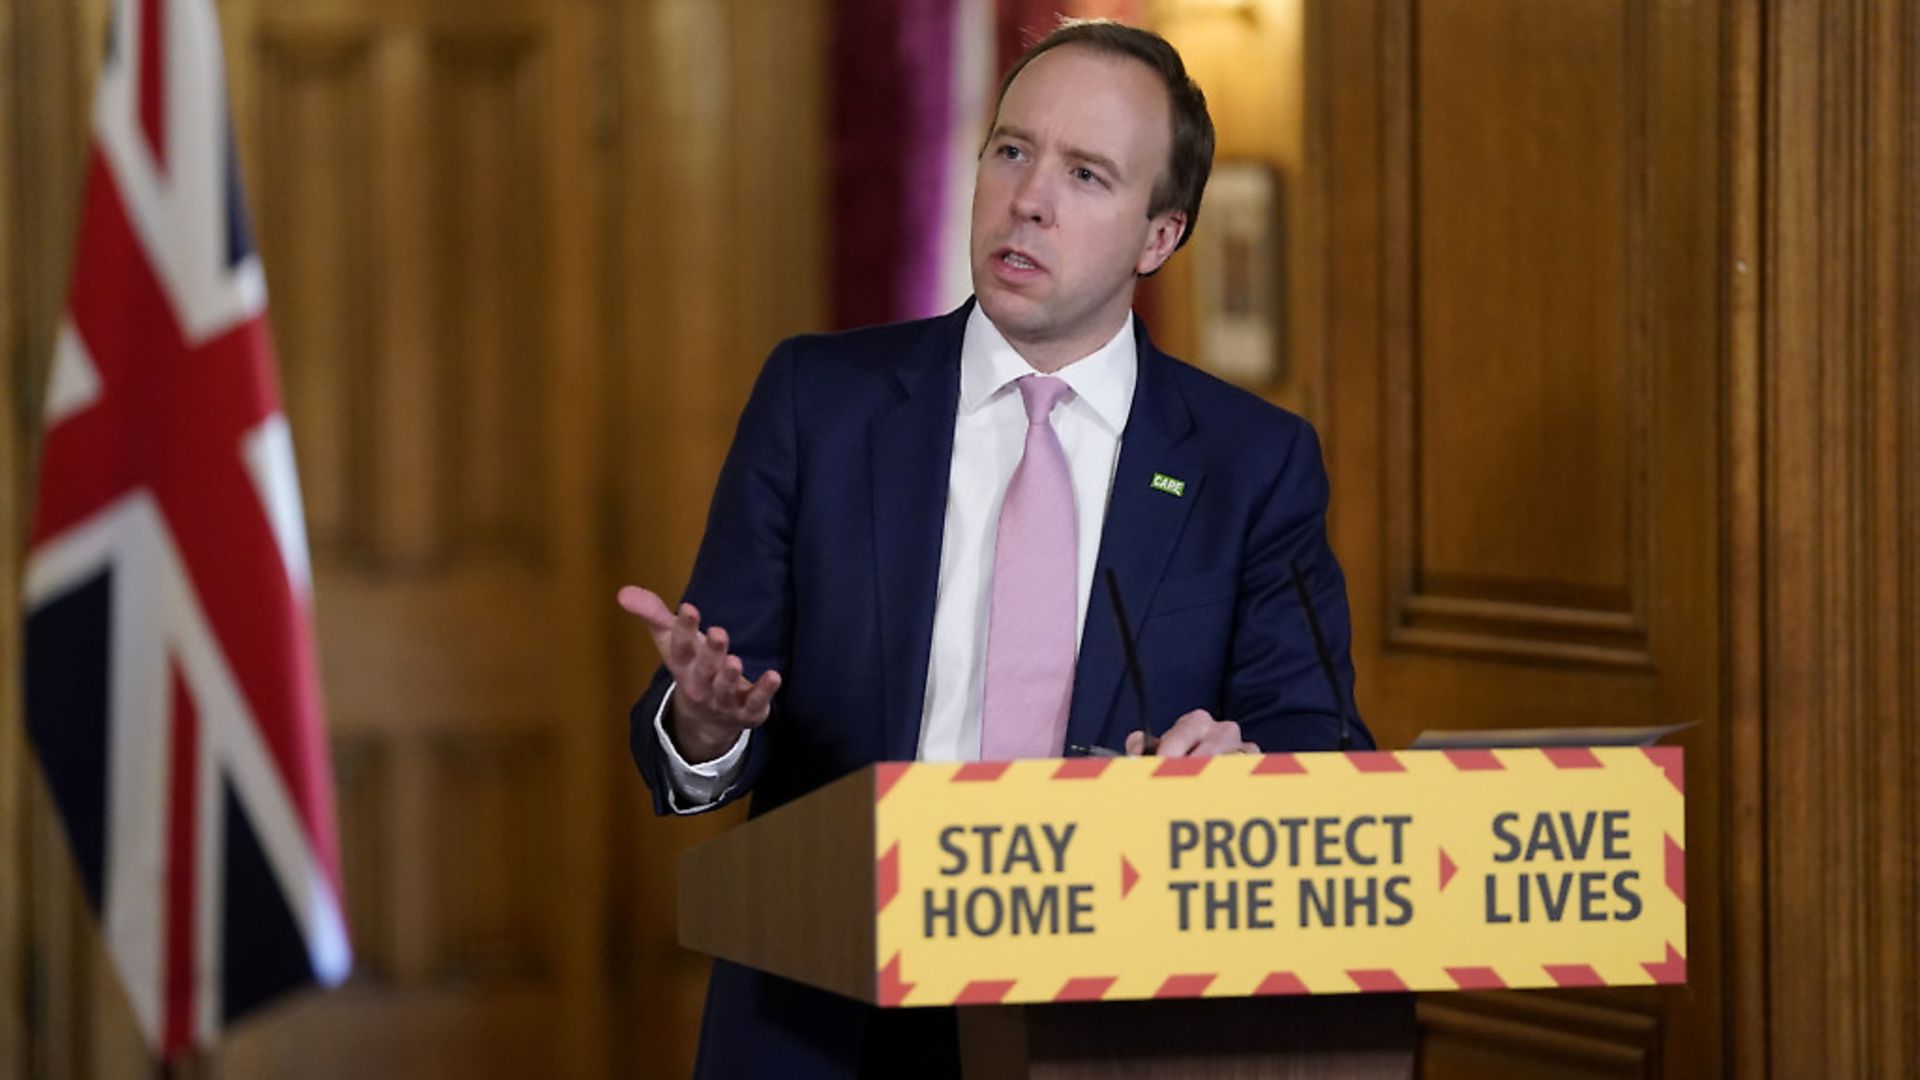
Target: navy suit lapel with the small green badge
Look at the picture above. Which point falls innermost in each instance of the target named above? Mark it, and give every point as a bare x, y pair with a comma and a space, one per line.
1138, 539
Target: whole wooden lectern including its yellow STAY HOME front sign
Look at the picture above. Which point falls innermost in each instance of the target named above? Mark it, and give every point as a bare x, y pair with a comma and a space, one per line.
1255, 916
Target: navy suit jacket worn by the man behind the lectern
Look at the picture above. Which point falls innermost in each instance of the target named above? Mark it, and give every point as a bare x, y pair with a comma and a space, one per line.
823, 556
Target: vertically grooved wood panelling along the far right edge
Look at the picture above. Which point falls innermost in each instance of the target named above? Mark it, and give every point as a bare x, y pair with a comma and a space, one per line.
1840, 537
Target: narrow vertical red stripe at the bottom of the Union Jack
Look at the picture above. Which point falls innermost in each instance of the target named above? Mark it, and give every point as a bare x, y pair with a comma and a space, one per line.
183, 827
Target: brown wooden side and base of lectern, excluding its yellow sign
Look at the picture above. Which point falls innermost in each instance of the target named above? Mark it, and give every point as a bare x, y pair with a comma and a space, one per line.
738, 900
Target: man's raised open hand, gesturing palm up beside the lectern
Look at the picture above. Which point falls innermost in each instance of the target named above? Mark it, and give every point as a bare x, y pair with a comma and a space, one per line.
713, 700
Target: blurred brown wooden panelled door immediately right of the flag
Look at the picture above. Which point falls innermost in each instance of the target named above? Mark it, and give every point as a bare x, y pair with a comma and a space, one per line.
423, 180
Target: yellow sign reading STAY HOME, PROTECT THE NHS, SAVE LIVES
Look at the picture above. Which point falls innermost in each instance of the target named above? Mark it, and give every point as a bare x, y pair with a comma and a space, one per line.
1282, 873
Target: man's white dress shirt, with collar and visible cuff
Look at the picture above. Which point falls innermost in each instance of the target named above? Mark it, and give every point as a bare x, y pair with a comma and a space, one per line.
990, 435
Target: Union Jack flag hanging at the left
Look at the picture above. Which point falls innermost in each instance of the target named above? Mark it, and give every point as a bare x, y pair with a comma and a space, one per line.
170, 674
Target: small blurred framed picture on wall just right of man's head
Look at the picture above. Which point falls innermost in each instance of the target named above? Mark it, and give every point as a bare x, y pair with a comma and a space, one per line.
1237, 276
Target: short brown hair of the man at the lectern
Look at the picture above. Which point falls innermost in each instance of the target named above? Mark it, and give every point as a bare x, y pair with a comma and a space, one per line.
1191, 157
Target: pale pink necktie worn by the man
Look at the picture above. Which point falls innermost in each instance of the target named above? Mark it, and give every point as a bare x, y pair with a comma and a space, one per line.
1036, 601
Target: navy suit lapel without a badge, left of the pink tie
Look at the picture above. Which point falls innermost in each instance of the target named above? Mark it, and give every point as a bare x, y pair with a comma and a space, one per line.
911, 462
